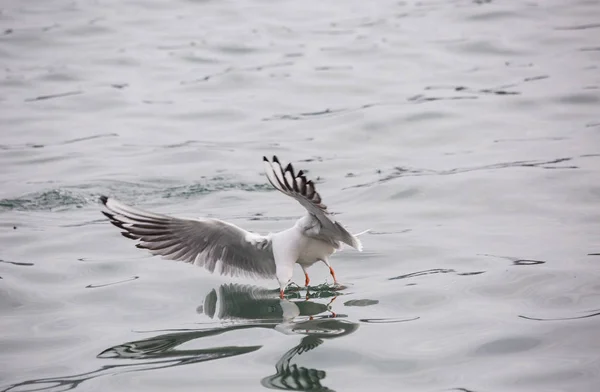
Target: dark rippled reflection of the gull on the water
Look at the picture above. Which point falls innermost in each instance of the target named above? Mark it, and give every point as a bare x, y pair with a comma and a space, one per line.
243, 307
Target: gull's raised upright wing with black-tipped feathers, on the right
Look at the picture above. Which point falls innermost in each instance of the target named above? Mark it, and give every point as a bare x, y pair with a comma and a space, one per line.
297, 186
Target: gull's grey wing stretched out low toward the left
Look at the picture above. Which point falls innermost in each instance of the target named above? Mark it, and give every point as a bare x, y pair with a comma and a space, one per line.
202, 242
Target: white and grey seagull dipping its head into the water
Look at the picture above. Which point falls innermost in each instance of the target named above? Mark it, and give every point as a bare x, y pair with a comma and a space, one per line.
212, 243
